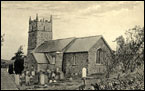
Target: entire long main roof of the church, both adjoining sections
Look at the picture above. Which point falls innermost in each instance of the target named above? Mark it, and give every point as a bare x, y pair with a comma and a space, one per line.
82, 44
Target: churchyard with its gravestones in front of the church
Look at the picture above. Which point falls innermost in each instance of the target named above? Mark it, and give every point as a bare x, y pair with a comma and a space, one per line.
37, 82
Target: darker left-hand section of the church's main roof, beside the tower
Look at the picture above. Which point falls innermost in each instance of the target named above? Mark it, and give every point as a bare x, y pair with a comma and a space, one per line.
54, 45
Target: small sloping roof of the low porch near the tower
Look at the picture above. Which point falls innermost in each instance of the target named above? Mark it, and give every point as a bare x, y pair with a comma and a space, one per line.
40, 58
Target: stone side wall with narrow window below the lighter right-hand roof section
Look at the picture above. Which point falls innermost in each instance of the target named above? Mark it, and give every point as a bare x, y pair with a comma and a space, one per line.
68, 63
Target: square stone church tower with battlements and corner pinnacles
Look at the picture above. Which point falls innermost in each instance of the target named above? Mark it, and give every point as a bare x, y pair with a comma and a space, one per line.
39, 31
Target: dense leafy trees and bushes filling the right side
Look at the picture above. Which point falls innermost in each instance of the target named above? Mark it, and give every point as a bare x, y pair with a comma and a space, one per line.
127, 69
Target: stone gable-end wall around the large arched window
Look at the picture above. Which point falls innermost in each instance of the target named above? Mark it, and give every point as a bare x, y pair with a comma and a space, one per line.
93, 67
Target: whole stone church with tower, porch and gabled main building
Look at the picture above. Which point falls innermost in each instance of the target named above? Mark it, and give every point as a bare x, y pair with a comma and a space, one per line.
69, 55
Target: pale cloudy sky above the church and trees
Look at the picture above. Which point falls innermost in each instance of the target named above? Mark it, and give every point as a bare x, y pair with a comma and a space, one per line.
70, 19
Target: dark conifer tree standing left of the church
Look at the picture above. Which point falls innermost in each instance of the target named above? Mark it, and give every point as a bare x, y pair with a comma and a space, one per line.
19, 61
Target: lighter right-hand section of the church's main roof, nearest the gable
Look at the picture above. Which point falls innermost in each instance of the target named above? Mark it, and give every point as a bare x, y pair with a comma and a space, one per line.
83, 44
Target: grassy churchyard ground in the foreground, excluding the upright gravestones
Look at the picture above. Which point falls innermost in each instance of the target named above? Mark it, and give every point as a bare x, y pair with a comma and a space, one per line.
65, 84
